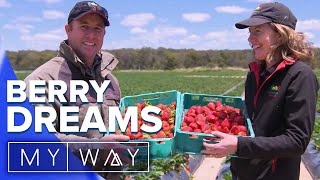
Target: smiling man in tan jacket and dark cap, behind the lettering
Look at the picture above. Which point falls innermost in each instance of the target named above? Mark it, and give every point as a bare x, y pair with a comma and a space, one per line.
80, 58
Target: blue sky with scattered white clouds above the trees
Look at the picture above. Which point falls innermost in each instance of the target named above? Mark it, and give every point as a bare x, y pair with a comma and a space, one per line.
178, 24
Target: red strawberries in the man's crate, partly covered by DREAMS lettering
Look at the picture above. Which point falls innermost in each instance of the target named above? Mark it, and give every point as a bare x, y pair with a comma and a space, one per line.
167, 116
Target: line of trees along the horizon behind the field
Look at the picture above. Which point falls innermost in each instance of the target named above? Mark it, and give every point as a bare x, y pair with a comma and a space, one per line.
152, 59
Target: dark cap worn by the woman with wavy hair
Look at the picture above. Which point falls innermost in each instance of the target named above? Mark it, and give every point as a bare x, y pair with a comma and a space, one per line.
269, 12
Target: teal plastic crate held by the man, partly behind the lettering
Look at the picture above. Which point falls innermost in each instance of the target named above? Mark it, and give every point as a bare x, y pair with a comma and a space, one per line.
161, 147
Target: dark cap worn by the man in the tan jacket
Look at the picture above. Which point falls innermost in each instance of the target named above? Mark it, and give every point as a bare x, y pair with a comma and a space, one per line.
84, 7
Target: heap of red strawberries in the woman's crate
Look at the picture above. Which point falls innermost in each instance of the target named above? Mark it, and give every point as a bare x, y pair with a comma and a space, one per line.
214, 117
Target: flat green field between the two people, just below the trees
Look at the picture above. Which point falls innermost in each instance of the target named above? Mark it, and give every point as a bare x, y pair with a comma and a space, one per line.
203, 82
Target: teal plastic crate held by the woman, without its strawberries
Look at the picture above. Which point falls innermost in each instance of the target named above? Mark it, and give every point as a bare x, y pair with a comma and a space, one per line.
192, 142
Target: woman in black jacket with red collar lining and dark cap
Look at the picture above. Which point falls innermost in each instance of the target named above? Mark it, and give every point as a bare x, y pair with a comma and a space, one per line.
281, 92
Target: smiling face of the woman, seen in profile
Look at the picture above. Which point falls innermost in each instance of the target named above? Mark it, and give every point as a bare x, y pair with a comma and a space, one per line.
262, 38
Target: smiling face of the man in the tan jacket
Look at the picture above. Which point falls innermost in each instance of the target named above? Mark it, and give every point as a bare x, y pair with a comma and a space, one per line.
85, 36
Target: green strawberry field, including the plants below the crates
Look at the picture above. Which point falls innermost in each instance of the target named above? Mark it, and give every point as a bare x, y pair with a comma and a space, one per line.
188, 81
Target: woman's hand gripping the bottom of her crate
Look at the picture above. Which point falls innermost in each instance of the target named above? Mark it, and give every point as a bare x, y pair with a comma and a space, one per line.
226, 146
